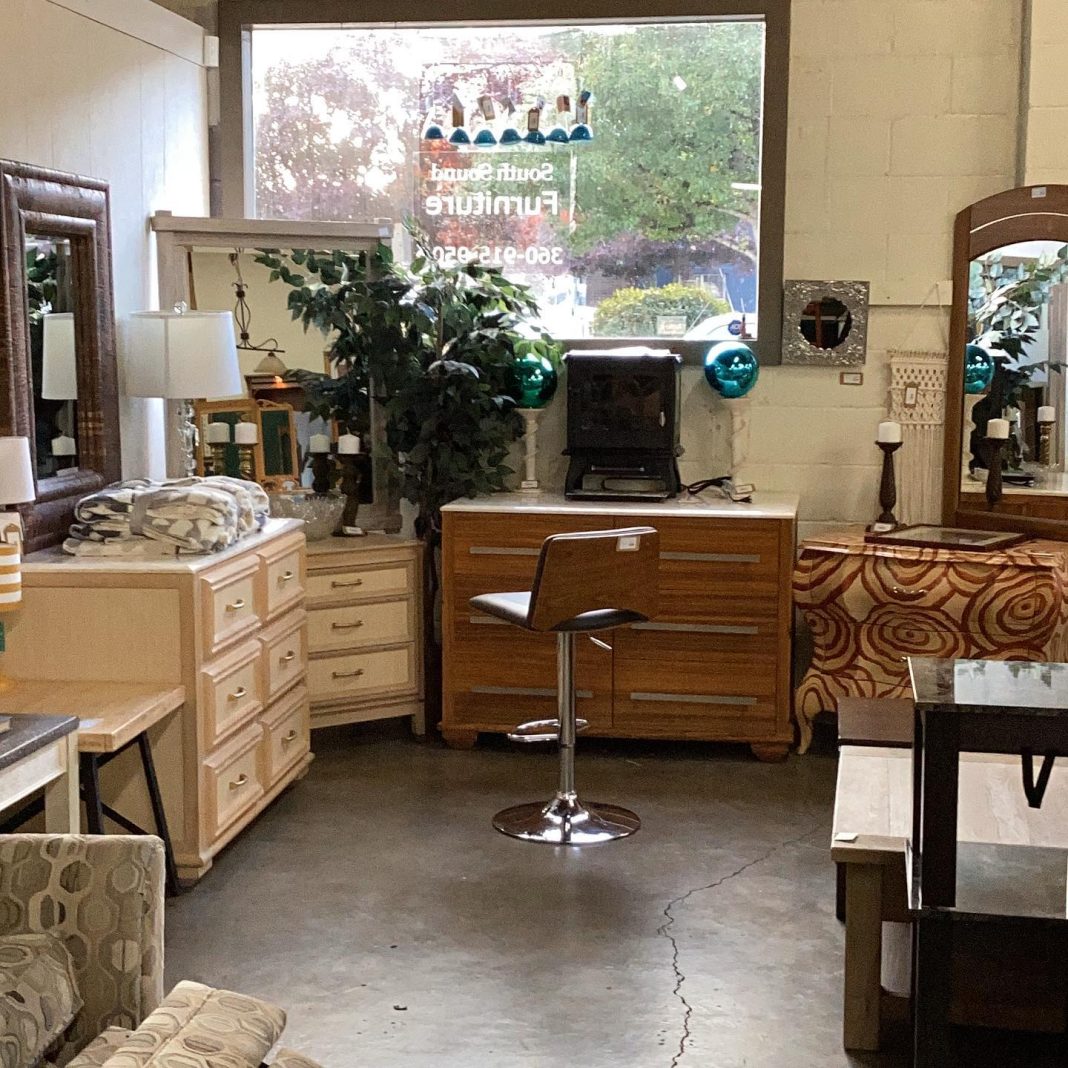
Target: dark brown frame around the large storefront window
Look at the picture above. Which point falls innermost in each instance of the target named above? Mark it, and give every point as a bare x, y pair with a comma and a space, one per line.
232, 164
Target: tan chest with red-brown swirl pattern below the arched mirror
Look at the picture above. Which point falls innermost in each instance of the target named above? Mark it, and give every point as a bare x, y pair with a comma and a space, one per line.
871, 606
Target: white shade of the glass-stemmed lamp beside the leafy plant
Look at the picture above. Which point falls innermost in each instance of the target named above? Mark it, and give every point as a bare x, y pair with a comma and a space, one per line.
182, 356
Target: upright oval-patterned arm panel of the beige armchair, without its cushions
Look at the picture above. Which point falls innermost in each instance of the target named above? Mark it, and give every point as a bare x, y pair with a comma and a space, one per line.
103, 896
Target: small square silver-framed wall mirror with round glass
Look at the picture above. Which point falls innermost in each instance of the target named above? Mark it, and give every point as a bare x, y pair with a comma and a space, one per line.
825, 324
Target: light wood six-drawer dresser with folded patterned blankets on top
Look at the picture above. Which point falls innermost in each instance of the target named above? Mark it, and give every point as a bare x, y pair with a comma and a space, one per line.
230, 627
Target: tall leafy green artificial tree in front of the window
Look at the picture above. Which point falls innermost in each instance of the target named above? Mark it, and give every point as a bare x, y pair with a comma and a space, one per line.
434, 345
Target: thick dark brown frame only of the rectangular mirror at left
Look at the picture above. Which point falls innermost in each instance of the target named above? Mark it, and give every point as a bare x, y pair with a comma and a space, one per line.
38, 201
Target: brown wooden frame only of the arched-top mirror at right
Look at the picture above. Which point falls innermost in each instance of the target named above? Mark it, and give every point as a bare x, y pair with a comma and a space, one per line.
1028, 214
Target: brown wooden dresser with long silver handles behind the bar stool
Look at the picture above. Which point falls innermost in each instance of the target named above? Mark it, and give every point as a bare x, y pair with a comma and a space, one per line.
715, 665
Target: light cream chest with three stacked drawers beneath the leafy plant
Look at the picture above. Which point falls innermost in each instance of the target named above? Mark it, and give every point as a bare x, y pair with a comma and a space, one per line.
365, 630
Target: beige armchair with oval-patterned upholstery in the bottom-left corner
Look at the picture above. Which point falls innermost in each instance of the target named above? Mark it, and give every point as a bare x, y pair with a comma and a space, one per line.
82, 967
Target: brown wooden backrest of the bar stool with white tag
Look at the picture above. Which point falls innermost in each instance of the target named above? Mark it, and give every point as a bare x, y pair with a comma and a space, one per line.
593, 571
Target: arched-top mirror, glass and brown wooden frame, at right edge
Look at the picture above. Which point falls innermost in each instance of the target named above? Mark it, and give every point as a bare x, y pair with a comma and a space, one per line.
1007, 397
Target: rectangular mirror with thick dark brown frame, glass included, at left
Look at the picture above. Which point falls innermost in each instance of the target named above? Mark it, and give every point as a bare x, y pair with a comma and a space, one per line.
58, 378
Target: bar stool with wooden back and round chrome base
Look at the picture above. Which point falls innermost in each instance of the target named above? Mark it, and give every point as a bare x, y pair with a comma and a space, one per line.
585, 583
